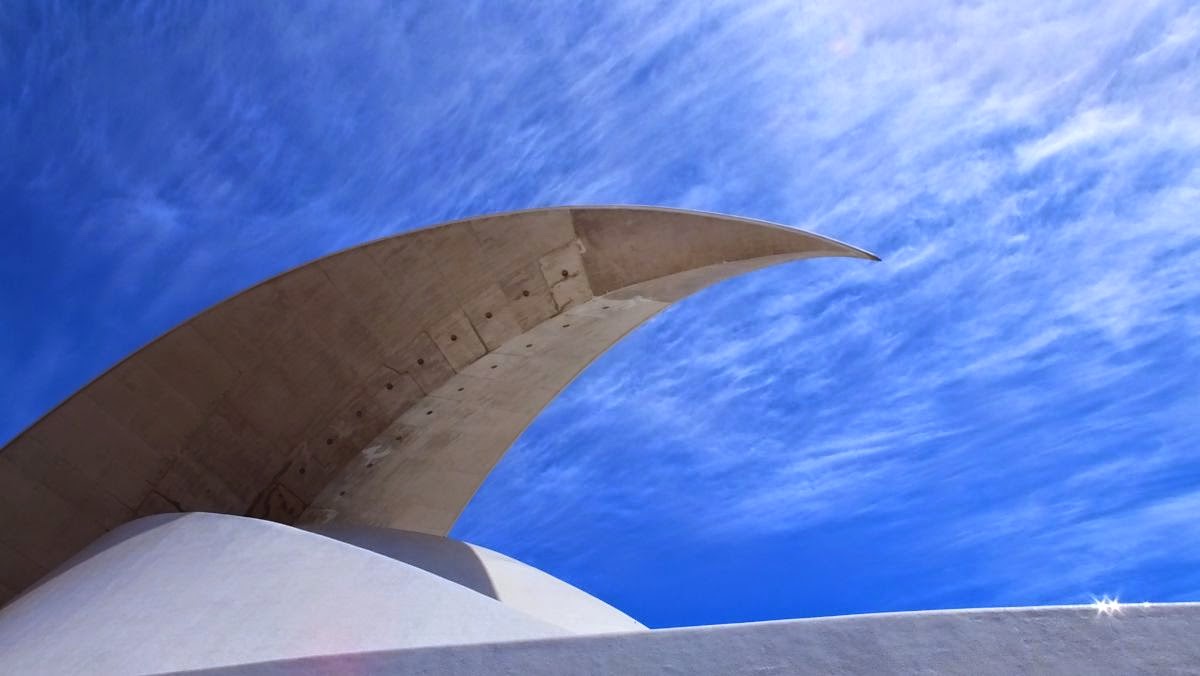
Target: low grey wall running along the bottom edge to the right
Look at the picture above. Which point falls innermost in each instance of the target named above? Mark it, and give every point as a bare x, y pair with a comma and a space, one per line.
1159, 639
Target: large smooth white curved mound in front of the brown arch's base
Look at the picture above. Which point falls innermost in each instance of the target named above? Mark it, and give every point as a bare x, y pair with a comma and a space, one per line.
194, 591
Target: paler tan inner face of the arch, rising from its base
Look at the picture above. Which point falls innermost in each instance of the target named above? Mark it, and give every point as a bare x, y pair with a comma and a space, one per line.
423, 470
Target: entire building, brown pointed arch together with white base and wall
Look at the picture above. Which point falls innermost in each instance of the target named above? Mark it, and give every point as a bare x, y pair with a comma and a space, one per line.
364, 398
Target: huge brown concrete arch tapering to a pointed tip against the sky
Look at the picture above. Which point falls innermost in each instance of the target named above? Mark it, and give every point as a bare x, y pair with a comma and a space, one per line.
377, 386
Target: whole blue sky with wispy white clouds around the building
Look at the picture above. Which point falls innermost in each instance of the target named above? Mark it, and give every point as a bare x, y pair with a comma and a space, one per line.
1003, 412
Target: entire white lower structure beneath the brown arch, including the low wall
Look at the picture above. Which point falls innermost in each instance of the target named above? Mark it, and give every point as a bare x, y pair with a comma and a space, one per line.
189, 593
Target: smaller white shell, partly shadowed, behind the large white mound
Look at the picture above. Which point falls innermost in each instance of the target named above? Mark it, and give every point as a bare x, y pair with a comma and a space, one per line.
514, 584
